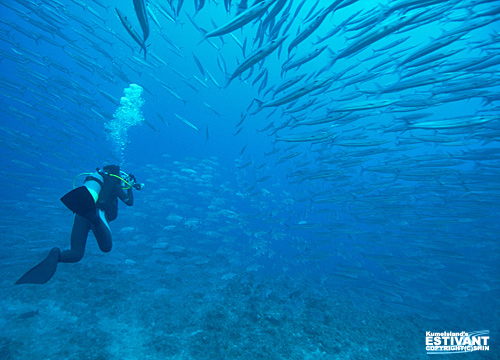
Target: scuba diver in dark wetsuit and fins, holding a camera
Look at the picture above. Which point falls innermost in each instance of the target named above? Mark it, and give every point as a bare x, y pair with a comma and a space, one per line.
95, 204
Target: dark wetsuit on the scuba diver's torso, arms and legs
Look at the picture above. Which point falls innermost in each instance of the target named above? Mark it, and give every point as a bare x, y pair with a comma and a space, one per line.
107, 205
